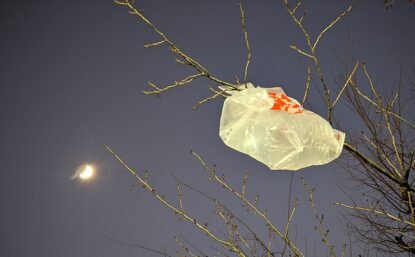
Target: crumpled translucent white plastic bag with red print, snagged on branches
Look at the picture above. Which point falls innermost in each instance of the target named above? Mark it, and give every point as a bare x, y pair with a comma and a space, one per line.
273, 128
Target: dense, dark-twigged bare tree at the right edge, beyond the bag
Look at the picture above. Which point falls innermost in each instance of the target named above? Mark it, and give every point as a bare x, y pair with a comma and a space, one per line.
383, 168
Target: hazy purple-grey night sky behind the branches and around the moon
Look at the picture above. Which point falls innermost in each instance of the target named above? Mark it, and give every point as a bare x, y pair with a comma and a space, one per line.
71, 76
